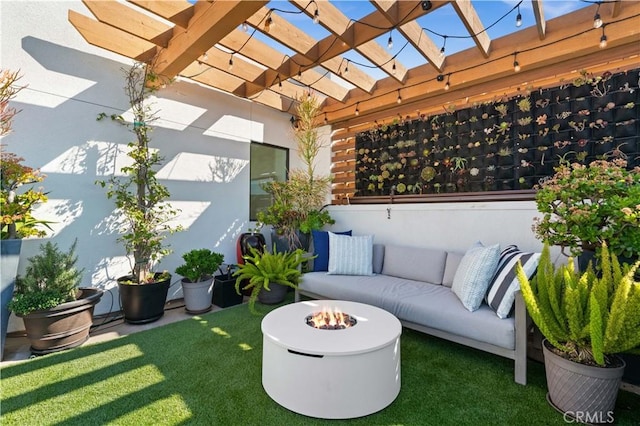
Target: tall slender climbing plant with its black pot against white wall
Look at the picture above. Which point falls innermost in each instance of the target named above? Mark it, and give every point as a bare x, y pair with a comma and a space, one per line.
142, 201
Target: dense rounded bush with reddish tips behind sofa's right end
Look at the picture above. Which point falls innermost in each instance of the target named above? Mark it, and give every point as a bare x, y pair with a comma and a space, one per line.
584, 206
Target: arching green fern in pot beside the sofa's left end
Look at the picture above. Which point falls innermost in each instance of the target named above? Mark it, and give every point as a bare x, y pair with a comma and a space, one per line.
268, 274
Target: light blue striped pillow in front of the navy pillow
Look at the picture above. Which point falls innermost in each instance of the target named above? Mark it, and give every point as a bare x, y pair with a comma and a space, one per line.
350, 255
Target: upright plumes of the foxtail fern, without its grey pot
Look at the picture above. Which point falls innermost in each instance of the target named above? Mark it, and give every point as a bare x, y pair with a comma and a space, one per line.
585, 316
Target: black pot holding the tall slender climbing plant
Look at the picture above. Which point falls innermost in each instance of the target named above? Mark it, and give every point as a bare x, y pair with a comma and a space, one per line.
143, 303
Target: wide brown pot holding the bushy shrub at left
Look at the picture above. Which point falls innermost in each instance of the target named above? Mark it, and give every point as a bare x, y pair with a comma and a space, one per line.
63, 327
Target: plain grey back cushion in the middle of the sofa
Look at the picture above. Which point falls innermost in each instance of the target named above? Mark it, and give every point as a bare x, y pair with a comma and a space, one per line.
415, 263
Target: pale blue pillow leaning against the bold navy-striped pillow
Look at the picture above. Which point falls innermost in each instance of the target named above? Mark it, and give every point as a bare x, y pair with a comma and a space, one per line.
474, 274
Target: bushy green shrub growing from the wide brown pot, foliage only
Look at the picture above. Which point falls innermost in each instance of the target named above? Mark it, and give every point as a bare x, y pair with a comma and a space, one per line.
51, 278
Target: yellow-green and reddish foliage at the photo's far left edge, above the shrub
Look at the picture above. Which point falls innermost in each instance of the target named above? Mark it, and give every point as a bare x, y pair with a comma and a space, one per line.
16, 205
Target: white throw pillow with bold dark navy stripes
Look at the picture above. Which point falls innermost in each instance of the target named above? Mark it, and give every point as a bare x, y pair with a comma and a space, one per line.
501, 294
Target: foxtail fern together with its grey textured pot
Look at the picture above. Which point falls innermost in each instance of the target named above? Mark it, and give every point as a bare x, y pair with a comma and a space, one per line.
586, 319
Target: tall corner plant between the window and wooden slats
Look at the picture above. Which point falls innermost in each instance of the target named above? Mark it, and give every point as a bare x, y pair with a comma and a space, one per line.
297, 203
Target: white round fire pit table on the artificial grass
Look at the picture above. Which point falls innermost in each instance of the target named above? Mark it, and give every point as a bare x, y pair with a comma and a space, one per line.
331, 373
